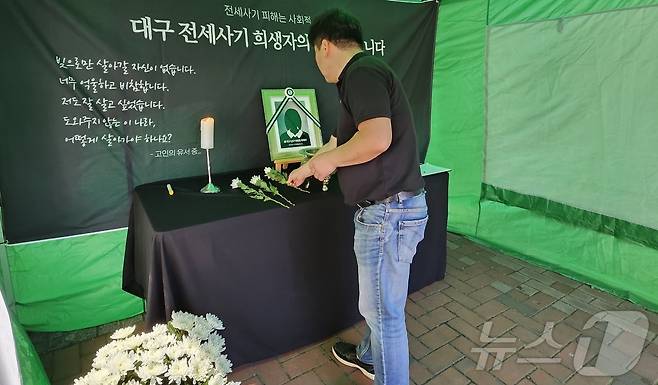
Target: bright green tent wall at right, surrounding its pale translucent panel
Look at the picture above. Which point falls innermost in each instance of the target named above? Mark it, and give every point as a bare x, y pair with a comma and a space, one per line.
589, 252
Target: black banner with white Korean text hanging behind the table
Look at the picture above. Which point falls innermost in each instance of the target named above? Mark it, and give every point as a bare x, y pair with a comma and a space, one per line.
101, 96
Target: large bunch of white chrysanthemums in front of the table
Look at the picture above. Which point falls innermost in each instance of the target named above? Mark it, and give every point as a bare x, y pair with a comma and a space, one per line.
186, 351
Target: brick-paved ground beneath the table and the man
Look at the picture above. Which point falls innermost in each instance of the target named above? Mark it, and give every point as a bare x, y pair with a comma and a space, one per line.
484, 291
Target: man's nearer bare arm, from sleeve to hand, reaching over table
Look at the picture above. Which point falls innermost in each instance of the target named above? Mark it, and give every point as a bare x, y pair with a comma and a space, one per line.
373, 137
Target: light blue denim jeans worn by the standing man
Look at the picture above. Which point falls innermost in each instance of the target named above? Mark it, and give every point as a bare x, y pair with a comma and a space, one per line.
385, 240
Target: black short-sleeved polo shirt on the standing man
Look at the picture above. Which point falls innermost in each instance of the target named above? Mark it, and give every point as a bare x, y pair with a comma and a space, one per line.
369, 89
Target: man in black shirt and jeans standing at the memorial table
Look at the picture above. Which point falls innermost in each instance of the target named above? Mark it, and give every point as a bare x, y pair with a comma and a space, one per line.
375, 155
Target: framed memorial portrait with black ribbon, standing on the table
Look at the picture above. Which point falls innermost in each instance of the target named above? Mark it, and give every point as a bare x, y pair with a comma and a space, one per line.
292, 122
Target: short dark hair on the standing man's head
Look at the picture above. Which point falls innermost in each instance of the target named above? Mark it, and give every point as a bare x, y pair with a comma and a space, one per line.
337, 26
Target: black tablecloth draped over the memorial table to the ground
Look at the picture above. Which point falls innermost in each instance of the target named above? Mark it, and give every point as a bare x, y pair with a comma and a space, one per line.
278, 278
